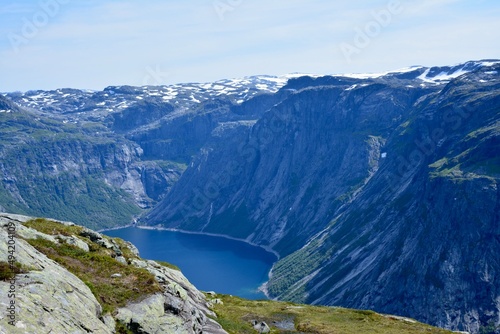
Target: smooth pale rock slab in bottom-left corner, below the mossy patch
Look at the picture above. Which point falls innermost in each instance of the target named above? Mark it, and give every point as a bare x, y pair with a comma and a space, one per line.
48, 297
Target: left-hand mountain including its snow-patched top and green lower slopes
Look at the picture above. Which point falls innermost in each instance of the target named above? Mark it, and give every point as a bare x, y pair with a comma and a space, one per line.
109, 155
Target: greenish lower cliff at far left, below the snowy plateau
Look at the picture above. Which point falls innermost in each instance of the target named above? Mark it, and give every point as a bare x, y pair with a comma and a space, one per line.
57, 169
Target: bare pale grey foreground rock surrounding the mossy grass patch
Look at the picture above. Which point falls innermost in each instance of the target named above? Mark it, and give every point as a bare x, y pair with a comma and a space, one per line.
48, 298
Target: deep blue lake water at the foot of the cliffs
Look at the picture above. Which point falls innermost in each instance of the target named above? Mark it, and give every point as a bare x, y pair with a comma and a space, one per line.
210, 263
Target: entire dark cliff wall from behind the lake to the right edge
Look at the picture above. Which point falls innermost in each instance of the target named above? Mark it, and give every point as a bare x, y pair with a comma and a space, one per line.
391, 187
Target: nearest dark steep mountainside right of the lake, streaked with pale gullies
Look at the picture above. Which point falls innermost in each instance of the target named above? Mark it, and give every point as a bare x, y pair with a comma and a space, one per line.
422, 237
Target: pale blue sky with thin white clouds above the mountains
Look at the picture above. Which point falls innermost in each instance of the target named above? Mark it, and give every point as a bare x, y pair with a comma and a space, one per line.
92, 44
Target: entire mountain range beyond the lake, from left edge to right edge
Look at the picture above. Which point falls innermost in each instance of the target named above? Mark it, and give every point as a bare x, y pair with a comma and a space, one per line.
379, 191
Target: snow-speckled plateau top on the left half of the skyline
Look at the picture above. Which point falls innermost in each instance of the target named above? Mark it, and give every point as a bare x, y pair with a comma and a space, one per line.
73, 105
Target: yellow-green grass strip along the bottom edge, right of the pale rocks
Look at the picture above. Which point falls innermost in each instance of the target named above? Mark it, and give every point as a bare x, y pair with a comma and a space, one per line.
235, 315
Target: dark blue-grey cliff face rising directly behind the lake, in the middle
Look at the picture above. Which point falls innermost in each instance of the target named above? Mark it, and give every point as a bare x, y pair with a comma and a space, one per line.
298, 165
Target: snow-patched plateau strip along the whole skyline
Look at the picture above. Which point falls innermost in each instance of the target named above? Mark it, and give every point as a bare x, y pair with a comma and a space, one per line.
73, 105
